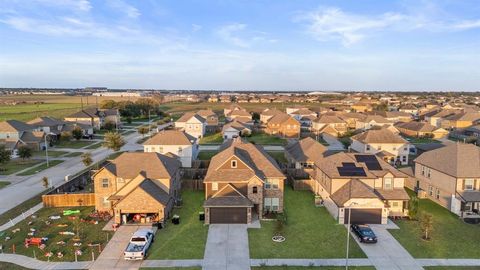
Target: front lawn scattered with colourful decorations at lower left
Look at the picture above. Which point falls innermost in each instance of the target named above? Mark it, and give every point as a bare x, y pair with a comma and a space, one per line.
88, 232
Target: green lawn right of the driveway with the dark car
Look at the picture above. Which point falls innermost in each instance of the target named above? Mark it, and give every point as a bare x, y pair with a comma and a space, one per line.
450, 238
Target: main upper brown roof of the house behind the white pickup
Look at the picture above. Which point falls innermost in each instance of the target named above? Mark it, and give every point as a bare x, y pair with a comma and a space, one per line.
153, 165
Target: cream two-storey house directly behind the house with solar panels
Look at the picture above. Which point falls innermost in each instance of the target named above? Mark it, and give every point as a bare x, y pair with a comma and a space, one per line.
387, 145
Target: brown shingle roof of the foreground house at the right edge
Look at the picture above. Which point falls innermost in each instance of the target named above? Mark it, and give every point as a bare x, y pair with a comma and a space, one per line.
456, 159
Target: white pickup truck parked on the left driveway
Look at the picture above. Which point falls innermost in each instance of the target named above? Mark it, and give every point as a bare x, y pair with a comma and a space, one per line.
139, 244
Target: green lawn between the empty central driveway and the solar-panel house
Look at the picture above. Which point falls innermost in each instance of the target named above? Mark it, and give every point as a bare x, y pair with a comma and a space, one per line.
310, 232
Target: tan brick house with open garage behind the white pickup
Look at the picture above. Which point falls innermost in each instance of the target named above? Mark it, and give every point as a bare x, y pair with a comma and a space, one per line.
136, 184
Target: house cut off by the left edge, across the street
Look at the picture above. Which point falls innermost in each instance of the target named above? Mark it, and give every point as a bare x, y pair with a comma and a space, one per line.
14, 133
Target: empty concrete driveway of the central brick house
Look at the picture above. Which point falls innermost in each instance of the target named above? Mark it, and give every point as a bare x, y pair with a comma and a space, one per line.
227, 248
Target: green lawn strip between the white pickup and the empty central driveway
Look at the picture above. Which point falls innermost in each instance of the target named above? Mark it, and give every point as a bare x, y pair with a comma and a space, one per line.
186, 240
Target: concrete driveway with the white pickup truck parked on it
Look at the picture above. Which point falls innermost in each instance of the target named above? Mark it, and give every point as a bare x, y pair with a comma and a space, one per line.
112, 256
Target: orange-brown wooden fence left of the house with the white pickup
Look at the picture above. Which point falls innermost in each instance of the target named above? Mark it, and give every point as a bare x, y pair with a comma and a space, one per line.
67, 200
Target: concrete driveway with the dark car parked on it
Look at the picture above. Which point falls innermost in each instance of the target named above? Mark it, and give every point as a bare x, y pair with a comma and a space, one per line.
387, 254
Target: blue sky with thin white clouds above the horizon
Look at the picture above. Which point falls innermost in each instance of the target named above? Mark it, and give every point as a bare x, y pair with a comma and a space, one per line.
301, 45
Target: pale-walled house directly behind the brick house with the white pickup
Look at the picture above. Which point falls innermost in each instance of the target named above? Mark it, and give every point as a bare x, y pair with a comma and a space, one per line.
180, 144
